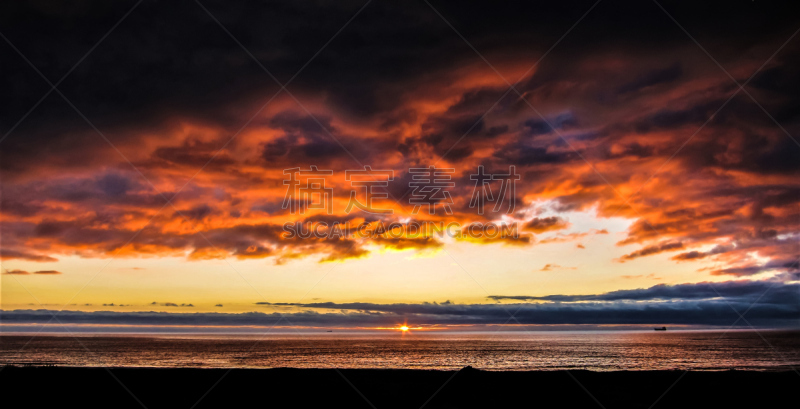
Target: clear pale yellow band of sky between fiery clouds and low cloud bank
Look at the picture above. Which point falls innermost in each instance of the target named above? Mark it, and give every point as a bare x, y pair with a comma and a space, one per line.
175, 284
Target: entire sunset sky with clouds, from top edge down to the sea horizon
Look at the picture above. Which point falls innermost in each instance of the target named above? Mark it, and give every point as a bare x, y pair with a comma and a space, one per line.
650, 153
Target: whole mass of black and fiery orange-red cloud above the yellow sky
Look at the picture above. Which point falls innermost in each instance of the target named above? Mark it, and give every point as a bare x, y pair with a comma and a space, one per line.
197, 163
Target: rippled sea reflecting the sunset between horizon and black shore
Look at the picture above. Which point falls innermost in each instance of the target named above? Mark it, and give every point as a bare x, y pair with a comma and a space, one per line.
601, 351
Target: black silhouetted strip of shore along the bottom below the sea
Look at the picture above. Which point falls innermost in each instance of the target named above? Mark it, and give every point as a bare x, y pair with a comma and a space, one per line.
392, 388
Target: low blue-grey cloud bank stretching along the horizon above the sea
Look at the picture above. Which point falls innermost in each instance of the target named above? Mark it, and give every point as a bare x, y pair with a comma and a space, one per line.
763, 304
